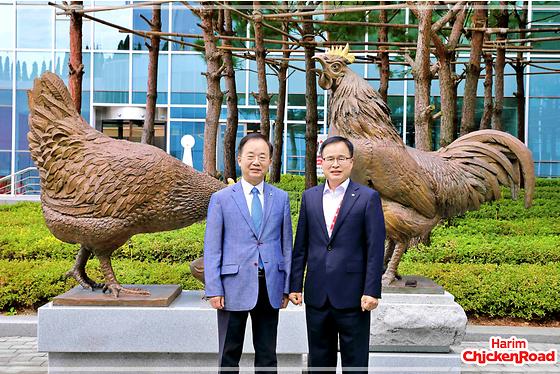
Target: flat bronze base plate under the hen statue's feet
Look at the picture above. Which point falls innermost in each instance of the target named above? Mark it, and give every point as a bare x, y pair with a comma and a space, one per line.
160, 296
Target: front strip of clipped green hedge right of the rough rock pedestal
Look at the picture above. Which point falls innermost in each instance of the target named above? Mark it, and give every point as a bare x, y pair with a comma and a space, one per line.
527, 291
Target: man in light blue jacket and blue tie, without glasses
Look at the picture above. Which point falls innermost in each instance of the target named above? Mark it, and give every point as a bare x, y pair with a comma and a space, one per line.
247, 257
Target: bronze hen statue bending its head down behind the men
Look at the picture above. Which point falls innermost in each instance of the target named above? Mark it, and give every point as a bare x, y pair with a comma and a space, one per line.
98, 191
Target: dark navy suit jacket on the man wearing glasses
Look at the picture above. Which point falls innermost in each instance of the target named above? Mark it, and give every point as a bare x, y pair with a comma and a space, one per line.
347, 265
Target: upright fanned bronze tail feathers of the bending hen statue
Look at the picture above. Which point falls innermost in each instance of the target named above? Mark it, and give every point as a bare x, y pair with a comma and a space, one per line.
53, 124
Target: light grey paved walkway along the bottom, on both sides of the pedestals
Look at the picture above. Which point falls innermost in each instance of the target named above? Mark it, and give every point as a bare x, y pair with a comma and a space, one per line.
19, 355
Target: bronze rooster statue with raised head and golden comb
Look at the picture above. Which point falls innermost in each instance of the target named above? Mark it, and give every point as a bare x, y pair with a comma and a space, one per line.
418, 189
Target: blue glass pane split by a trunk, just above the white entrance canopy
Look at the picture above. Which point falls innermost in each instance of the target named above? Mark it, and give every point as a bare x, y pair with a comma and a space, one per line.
140, 64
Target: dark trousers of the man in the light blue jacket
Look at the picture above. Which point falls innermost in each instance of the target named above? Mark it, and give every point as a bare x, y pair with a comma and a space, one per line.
231, 333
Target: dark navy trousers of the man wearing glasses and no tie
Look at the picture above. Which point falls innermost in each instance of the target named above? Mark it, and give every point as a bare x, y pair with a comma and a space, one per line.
325, 326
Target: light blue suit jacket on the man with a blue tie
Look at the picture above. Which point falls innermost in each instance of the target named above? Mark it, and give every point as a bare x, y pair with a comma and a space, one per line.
232, 247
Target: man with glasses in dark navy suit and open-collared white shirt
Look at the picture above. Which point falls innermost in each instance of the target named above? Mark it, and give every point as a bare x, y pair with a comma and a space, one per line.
340, 237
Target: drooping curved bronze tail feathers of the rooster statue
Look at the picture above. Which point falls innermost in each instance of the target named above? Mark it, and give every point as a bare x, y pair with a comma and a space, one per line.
496, 157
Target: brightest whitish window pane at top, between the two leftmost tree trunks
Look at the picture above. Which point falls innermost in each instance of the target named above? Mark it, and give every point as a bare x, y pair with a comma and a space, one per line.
109, 38
